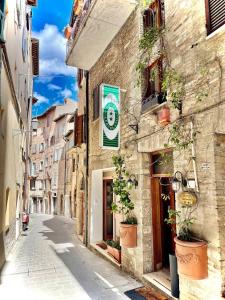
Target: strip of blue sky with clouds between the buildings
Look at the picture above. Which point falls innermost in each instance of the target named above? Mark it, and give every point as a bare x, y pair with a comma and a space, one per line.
56, 80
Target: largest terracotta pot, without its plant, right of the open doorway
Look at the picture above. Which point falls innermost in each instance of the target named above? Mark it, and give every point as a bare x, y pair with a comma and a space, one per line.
192, 259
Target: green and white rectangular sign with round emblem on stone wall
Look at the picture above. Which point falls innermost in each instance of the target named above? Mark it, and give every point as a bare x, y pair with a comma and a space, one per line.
109, 117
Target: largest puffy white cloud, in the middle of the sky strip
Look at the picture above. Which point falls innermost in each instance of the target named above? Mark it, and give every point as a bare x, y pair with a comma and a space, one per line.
52, 54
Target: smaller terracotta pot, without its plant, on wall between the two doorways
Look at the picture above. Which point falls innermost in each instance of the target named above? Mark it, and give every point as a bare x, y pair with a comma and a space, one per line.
128, 235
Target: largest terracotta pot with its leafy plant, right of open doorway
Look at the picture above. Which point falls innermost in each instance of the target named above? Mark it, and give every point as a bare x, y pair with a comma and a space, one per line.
191, 252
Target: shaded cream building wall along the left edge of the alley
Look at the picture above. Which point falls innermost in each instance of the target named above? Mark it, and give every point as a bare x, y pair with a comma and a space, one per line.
17, 69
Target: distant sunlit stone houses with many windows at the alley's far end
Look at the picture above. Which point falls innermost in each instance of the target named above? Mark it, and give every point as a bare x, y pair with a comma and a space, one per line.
48, 159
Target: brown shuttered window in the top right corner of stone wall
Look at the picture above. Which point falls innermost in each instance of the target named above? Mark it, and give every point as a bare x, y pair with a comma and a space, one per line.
215, 14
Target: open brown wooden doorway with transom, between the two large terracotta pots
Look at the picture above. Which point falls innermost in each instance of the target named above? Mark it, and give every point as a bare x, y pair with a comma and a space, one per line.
162, 199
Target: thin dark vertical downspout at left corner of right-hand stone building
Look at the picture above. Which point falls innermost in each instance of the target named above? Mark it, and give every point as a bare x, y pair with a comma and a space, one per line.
87, 158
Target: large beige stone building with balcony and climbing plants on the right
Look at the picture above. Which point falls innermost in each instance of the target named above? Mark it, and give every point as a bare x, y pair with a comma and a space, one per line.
186, 58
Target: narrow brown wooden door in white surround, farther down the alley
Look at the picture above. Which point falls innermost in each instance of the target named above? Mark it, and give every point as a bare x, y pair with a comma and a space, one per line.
107, 209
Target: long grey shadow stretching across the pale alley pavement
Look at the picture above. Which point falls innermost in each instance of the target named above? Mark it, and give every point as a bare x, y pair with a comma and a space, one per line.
80, 261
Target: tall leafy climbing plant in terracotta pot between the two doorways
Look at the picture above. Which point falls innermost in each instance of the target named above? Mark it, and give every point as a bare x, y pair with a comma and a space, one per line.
122, 184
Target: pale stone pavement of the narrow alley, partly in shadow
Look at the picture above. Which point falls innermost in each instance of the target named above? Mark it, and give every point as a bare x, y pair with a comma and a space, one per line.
50, 263
